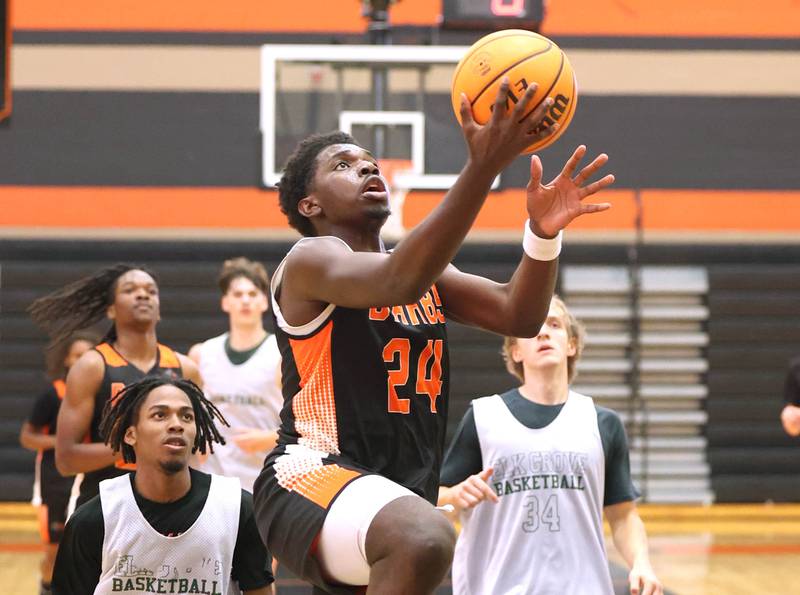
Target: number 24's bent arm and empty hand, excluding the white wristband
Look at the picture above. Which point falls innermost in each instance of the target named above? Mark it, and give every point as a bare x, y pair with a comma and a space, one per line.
518, 307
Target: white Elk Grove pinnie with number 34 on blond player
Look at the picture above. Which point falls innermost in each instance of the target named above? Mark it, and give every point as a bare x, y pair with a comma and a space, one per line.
545, 535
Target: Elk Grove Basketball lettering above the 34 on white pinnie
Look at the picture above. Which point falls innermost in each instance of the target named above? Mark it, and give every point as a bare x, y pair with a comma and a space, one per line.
528, 471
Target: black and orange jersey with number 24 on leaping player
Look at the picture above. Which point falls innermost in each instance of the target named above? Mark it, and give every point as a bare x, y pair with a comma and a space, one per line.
369, 387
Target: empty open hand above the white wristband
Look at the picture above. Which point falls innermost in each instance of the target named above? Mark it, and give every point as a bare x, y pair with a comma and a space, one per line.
552, 206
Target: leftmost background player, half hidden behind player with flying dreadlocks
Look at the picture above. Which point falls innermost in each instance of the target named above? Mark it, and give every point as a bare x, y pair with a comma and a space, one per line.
50, 489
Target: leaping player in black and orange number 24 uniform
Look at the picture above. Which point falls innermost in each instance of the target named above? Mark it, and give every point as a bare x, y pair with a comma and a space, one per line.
346, 498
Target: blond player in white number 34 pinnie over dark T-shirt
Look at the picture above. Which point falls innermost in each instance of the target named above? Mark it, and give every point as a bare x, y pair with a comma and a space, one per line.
550, 462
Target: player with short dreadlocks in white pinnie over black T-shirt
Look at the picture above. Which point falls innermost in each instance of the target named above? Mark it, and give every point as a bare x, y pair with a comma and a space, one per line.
165, 528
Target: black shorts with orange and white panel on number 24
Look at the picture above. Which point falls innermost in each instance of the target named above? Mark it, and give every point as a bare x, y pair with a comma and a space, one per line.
291, 503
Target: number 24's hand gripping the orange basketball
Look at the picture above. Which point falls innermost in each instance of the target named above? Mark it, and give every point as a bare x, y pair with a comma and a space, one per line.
498, 142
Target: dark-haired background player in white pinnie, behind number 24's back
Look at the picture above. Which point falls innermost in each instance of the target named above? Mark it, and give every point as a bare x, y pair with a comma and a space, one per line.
241, 374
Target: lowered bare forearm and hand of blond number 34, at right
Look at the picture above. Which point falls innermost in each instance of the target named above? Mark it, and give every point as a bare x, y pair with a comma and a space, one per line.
630, 539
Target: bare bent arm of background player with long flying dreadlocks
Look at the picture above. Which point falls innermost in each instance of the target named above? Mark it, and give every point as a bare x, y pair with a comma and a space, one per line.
73, 455
